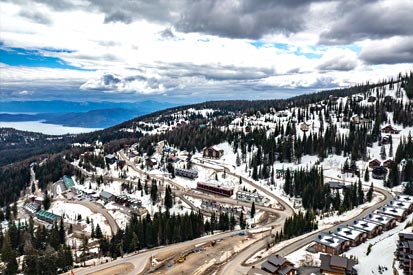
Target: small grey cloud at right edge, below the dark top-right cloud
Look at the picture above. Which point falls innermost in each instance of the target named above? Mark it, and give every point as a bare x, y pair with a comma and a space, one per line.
393, 51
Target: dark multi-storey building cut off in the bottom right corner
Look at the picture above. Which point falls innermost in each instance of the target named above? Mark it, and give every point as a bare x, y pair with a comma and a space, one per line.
404, 252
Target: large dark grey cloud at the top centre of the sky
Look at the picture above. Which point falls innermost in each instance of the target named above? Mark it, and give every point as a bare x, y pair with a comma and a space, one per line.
243, 19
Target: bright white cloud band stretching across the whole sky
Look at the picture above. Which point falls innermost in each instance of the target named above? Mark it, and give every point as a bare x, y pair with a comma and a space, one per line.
142, 60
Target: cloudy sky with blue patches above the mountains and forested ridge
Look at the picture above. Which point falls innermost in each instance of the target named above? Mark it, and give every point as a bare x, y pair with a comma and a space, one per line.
191, 51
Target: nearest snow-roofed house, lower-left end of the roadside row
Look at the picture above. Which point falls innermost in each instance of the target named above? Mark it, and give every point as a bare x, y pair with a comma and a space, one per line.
331, 244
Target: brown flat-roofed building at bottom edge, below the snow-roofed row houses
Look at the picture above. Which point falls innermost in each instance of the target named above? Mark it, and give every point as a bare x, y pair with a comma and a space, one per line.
337, 265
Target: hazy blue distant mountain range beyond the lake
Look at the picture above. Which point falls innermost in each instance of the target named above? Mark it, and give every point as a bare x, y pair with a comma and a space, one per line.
77, 114
